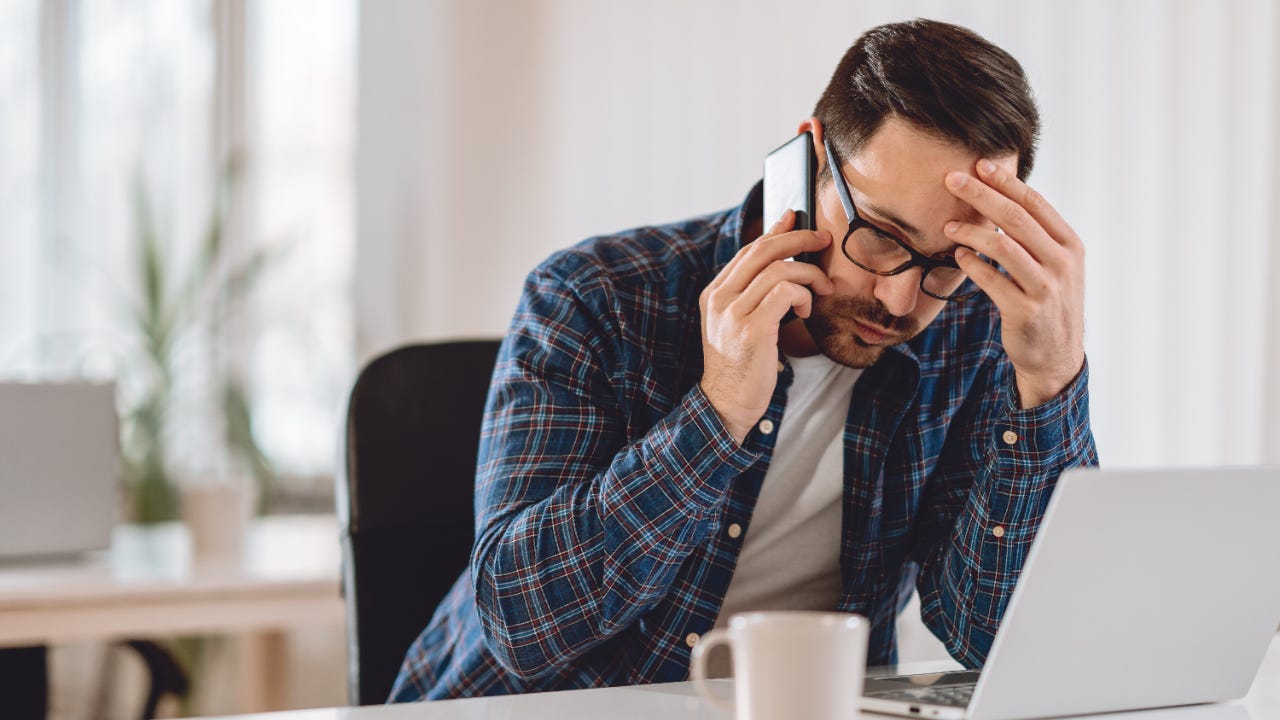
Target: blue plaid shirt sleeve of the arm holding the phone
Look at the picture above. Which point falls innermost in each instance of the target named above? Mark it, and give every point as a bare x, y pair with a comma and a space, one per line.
579, 530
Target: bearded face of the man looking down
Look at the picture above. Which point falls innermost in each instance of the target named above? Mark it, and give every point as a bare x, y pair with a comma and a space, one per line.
897, 184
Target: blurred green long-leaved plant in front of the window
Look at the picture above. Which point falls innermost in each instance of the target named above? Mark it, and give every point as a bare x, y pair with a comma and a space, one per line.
181, 318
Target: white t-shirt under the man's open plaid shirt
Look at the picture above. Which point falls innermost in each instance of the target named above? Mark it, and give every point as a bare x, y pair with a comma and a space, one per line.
790, 558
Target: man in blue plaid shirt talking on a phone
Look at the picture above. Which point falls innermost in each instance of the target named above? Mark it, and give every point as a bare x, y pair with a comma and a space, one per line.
661, 452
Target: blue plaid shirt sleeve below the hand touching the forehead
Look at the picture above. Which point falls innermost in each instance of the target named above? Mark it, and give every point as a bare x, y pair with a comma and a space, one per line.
984, 530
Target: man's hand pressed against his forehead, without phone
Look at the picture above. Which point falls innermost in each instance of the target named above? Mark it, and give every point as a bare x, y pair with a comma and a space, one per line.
1041, 299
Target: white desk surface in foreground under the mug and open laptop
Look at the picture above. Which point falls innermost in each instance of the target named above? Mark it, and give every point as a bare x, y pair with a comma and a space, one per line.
678, 701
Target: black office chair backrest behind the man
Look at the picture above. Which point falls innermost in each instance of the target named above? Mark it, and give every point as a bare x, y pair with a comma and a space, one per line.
405, 498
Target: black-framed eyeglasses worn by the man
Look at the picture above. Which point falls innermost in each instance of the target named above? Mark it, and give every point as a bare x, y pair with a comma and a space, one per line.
883, 254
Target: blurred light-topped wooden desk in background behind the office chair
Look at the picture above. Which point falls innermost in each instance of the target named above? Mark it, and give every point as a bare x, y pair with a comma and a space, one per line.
150, 586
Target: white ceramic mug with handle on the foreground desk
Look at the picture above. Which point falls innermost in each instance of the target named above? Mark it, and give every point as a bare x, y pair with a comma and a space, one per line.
790, 664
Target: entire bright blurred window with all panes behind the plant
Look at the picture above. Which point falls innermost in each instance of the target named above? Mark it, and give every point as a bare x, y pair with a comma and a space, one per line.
109, 102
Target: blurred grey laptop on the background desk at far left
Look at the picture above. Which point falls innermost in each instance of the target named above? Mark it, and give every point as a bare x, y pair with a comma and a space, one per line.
60, 468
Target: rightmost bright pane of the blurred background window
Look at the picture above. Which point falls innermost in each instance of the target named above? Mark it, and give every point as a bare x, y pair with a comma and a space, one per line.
304, 177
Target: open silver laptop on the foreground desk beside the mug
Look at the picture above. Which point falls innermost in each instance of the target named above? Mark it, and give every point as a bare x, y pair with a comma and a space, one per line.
1144, 589
